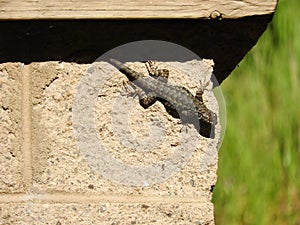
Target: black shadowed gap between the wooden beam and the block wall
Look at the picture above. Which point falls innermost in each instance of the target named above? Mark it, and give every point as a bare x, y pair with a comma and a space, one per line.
82, 41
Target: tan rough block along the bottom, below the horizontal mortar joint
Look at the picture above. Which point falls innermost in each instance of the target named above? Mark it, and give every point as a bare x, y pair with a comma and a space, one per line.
106, 213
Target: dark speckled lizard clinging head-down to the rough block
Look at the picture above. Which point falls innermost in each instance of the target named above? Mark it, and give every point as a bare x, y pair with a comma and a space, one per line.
178, 101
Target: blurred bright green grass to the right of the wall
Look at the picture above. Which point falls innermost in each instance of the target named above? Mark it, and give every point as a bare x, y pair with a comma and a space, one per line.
259, 161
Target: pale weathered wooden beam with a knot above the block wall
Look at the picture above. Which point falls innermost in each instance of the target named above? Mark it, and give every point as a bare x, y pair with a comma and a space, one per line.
133, 9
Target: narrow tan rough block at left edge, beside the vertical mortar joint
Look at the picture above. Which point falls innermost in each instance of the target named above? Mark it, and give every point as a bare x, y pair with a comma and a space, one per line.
11, 157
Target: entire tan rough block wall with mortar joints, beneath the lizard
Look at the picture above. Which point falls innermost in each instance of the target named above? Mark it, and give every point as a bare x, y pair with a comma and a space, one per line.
66, 187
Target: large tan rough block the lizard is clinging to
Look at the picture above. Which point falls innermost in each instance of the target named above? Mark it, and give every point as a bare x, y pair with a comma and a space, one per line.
60, 164
